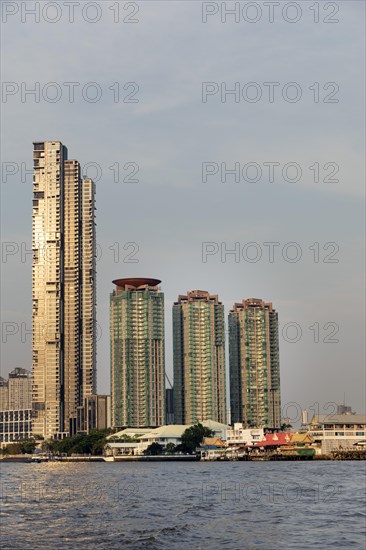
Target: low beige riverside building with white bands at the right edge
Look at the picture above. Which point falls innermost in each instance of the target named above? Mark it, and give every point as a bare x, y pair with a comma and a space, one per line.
337, 431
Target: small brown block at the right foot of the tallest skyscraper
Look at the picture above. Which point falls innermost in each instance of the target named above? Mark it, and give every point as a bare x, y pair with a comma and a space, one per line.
95, 414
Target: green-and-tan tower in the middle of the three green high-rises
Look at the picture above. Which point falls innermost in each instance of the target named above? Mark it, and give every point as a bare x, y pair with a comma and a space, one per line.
199, 358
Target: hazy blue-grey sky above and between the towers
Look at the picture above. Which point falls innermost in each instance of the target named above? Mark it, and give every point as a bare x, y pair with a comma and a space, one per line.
152, 119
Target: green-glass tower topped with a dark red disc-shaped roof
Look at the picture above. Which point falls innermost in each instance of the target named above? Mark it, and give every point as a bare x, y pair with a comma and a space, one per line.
137, 353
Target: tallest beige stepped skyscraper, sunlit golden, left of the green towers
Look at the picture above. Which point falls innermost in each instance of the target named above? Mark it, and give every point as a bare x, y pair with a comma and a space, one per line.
63, 290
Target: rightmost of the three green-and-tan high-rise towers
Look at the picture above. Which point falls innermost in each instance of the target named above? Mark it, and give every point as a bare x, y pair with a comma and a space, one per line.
255, 397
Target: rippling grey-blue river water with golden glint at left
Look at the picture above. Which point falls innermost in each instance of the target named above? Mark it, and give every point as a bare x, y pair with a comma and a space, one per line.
226, 505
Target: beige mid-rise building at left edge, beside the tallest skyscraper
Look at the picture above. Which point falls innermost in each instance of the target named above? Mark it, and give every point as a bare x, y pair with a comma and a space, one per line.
16, 406
